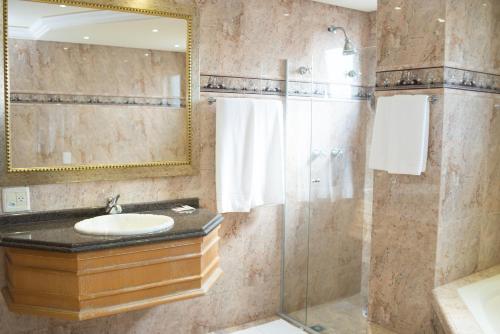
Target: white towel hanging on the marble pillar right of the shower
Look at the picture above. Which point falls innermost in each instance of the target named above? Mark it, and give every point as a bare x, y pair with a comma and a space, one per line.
401, 134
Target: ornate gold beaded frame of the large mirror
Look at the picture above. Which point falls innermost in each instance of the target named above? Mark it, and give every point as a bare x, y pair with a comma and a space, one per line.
162, 8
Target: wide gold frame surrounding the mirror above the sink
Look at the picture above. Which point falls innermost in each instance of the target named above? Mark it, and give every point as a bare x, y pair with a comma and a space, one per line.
43, 175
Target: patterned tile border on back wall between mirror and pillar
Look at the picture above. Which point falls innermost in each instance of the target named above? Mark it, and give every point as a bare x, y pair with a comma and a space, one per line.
243, 85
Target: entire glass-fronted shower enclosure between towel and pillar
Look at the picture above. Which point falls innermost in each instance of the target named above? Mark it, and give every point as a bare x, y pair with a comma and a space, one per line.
328, 192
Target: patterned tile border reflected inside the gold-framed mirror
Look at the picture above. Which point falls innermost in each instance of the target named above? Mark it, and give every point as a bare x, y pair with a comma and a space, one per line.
37, 98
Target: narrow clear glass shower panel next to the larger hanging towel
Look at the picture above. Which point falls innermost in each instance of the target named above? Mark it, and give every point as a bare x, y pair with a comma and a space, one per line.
294, 283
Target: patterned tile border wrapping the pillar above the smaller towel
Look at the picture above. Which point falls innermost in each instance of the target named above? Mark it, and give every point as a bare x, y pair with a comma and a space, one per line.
438, 77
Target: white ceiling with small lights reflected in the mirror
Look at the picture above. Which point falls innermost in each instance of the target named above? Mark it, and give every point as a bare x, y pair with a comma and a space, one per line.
51, 22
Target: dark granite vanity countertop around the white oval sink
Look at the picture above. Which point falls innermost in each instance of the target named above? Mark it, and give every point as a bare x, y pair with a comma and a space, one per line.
54, 230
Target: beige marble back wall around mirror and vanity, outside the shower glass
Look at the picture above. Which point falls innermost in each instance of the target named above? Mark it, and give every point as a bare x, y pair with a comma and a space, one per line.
241, 38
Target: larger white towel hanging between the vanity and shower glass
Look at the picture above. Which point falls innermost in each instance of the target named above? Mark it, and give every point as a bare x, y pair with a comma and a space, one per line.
249, 153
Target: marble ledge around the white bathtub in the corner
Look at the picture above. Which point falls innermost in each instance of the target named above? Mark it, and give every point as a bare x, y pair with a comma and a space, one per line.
451, 310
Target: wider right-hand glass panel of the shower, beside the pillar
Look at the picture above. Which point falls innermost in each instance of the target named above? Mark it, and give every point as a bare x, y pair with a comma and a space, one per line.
340, 195
